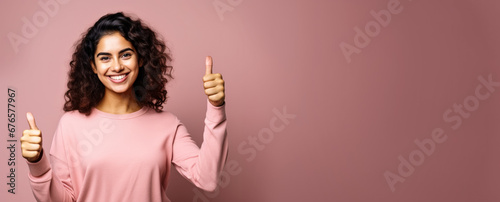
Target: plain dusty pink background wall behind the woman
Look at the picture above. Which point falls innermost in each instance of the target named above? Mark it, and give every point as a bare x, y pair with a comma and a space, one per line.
353, 120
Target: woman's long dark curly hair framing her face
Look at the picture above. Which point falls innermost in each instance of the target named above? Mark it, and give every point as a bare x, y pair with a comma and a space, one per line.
85, 90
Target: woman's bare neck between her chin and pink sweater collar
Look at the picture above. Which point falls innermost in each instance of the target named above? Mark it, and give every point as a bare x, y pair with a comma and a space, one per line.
118, 103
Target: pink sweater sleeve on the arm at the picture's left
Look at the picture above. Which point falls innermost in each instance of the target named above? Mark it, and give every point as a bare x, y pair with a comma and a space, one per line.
49, 178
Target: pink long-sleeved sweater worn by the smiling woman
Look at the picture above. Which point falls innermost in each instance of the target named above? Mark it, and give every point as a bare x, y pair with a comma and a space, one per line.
127, 157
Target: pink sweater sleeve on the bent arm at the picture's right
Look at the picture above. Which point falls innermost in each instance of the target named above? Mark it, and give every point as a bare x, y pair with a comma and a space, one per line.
203, 165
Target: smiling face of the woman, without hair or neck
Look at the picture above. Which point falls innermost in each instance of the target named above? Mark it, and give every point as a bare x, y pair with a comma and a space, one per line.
116, 63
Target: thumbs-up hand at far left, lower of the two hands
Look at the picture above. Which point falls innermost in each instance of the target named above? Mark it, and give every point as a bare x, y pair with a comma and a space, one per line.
31, 141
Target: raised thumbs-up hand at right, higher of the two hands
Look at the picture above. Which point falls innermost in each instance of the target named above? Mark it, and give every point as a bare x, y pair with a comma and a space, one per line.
214, 85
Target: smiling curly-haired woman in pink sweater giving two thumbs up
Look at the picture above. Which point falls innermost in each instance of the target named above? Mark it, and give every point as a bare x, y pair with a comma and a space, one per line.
114, 142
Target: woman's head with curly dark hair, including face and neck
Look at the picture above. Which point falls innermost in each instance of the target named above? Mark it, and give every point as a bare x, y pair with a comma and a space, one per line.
120, 46
